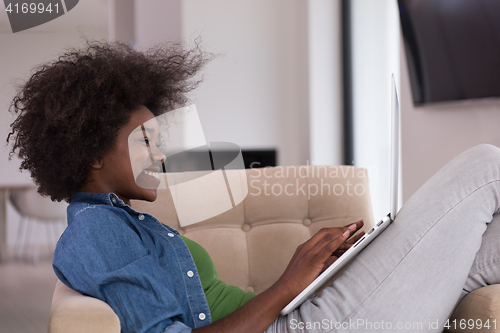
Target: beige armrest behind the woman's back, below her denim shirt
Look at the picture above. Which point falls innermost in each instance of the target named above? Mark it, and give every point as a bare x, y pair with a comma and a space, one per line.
73, 312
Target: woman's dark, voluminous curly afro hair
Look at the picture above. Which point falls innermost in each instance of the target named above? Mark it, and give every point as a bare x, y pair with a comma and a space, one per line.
70, 110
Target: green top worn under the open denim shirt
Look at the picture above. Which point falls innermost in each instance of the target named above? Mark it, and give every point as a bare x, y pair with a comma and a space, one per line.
222, 299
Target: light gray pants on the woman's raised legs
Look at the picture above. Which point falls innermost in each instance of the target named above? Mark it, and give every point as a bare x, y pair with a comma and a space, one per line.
440, 247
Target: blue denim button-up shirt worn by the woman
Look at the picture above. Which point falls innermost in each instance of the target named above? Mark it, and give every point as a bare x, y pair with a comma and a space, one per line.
133, 262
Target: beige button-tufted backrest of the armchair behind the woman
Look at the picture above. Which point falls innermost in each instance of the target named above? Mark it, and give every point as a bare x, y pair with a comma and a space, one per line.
263, 231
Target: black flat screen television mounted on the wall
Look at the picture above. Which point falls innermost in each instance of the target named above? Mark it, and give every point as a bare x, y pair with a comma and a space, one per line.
452, 48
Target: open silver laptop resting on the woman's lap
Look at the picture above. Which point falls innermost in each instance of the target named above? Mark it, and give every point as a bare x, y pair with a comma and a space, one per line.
324, 277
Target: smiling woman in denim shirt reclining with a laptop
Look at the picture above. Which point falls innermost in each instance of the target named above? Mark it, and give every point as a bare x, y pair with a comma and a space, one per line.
76, 119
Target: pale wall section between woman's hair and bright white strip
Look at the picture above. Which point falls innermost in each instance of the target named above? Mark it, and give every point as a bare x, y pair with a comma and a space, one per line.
255, 93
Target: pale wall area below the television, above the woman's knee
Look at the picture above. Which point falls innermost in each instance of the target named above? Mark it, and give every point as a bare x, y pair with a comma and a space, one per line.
433, 135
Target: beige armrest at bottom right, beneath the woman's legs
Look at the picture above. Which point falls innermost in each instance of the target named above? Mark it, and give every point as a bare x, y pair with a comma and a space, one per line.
480, 305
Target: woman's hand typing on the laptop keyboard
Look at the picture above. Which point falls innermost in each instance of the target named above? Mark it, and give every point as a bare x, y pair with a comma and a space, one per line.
314, 256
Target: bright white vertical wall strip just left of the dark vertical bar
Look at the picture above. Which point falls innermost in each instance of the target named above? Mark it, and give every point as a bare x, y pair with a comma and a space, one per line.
325, 82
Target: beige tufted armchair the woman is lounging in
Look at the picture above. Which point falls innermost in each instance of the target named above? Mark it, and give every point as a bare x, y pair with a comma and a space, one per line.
252, 243
